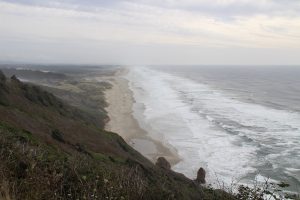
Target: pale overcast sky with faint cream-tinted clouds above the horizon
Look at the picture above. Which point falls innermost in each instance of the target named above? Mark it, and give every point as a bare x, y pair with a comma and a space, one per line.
144, 32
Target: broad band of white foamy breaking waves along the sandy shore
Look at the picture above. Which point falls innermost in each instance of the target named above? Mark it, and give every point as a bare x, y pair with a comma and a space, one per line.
232, 140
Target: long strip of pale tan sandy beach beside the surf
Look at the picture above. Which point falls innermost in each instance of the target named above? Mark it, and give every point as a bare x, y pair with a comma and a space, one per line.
120, 100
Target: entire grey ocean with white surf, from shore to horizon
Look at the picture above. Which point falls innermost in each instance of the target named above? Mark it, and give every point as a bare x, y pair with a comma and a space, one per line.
240, 123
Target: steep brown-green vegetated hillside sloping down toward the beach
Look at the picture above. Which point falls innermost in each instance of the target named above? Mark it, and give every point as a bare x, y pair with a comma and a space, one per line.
51, 150
